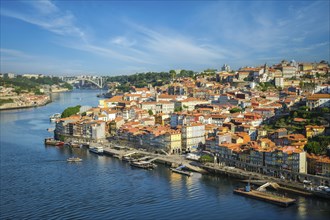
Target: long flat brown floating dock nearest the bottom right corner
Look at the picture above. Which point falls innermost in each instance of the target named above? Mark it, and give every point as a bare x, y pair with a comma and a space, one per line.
267, 197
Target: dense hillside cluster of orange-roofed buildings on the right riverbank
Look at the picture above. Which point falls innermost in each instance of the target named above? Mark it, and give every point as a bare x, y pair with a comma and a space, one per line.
223, 114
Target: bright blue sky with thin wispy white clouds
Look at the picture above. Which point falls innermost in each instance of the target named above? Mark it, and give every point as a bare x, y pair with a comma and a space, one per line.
125, 37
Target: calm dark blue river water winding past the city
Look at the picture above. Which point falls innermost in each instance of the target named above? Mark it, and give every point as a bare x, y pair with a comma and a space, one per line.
38, 183
